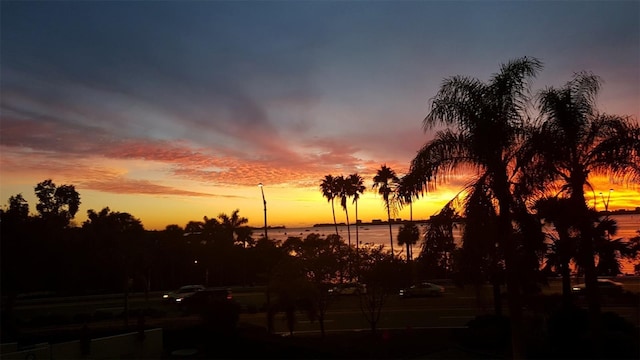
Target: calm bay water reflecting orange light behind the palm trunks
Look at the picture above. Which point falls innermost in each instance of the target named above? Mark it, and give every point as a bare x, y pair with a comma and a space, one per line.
628, 225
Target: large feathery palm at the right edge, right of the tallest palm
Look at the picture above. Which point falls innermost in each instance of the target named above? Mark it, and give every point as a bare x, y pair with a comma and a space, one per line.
574, 141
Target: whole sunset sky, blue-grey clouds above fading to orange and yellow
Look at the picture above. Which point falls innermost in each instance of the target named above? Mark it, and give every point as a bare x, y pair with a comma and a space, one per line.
172, 111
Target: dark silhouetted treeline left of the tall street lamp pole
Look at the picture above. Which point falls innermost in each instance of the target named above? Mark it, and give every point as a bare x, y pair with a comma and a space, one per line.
111, 250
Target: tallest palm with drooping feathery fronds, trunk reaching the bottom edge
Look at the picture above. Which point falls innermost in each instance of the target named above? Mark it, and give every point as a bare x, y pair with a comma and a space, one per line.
488, 120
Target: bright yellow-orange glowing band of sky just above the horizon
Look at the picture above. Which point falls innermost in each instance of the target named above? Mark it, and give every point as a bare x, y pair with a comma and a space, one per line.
298, 207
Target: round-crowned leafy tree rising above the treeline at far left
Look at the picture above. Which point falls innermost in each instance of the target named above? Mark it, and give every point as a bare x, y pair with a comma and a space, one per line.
57, 205
